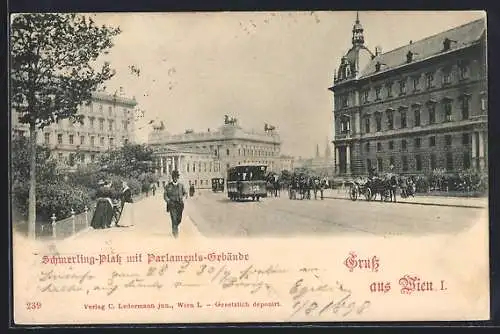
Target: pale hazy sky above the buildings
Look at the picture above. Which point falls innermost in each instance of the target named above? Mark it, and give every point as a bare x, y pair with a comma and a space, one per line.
260, 67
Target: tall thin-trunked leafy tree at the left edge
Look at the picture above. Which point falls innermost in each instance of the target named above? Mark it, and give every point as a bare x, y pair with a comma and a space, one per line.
52, 73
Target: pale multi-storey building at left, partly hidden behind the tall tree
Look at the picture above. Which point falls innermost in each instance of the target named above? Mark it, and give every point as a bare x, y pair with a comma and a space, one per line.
108, 122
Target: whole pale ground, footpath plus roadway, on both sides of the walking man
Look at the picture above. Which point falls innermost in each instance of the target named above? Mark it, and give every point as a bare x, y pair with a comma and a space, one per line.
209, 214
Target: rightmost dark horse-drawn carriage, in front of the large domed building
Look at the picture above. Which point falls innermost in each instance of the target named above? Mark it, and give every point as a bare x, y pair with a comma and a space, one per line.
370, 187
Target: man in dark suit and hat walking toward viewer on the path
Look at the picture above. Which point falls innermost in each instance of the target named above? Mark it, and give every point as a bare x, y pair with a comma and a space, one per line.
174, 197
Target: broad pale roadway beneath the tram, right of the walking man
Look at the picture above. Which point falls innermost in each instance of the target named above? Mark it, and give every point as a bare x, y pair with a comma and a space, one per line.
215, 216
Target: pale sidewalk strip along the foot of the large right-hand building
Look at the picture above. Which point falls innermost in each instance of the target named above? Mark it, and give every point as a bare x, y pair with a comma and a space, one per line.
464, 202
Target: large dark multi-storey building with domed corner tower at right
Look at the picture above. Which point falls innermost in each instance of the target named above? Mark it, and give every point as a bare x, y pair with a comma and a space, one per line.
419, 107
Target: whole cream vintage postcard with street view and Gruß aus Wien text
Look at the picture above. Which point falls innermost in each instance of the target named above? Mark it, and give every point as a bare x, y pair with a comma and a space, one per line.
228, 167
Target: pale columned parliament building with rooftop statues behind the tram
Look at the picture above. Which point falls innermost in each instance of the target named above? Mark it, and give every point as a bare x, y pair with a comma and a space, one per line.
199, 156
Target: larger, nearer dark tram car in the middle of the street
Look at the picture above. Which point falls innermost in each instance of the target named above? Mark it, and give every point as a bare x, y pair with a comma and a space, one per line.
246, 182
